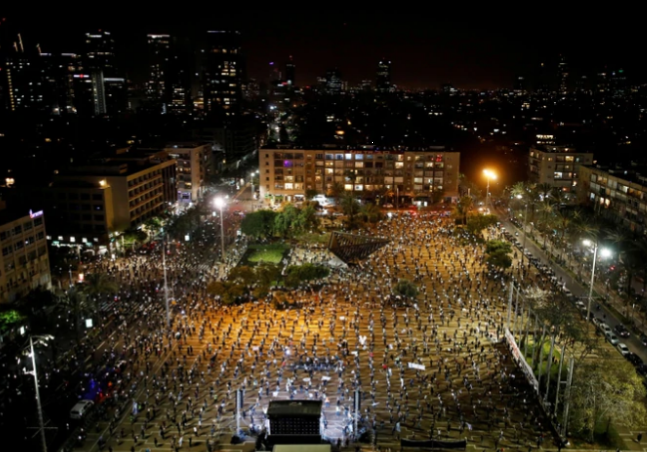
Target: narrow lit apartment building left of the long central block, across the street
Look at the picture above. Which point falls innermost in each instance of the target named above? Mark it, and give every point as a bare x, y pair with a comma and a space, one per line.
193, 165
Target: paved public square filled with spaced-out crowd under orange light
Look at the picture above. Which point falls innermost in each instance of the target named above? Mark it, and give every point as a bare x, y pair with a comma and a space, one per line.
351, 334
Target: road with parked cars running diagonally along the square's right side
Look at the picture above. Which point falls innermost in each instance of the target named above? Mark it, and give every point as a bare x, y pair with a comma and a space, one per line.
578, 290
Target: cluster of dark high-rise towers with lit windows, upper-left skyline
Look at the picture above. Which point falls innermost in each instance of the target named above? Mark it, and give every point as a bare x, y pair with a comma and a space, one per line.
91, 82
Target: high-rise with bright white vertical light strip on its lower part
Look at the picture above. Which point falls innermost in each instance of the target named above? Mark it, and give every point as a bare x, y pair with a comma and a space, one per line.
108, 86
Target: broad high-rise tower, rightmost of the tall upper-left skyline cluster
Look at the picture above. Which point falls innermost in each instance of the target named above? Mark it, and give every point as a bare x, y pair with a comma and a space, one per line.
222, 73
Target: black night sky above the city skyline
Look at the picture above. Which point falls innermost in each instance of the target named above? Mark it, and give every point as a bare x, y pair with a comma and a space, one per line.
425, 53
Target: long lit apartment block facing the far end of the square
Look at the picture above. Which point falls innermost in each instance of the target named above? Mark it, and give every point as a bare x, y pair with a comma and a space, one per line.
287, 173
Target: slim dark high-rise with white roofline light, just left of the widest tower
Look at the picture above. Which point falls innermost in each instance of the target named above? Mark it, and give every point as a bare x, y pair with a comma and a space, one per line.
157, 86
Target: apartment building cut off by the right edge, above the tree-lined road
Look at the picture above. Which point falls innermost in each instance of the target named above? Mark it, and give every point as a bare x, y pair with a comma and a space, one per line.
618, 194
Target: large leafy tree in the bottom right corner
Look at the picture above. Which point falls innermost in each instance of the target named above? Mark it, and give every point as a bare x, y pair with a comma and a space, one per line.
604, 393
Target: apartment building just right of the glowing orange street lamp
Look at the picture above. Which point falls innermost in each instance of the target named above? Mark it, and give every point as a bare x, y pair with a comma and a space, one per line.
557, 166
